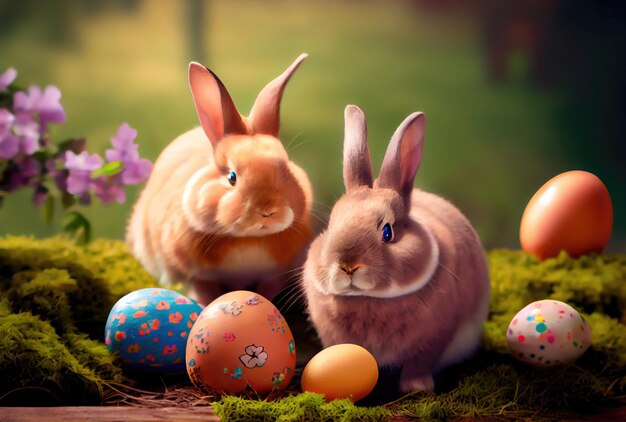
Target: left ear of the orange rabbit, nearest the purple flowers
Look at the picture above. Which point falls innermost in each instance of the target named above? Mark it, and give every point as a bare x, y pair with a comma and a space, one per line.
216, 110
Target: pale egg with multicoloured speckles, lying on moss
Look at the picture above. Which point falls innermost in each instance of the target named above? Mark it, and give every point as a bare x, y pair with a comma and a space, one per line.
547, 333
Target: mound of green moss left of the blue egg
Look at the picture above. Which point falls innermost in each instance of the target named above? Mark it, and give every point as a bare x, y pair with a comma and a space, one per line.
55, 298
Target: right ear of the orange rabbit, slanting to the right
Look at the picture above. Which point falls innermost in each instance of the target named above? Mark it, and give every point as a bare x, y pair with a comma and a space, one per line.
265, 114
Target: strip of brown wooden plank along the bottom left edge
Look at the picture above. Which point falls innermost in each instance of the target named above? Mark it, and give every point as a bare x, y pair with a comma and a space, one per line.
107, 413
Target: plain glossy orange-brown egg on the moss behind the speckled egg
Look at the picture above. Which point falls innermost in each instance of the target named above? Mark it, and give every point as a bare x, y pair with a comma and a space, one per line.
571, 212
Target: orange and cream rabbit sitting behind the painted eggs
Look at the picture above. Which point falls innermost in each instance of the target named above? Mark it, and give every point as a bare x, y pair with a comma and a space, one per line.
224, 208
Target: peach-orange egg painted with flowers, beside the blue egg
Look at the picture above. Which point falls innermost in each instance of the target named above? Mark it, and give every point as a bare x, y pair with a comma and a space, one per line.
240, 341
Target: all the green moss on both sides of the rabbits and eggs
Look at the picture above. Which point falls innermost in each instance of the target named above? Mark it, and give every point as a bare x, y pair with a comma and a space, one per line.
55, 298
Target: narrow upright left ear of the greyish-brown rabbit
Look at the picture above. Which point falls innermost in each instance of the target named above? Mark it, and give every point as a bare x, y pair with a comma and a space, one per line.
357, 166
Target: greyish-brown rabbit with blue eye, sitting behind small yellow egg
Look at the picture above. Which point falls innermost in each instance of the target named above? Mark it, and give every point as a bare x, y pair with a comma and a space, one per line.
399, 271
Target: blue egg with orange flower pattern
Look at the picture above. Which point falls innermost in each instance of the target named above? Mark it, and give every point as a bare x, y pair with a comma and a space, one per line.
149, 329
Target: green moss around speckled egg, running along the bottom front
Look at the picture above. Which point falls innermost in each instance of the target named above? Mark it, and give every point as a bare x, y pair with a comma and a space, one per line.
493, 383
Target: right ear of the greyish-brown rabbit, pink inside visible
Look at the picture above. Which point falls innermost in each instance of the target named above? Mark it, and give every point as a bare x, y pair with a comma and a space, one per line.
403, 156
